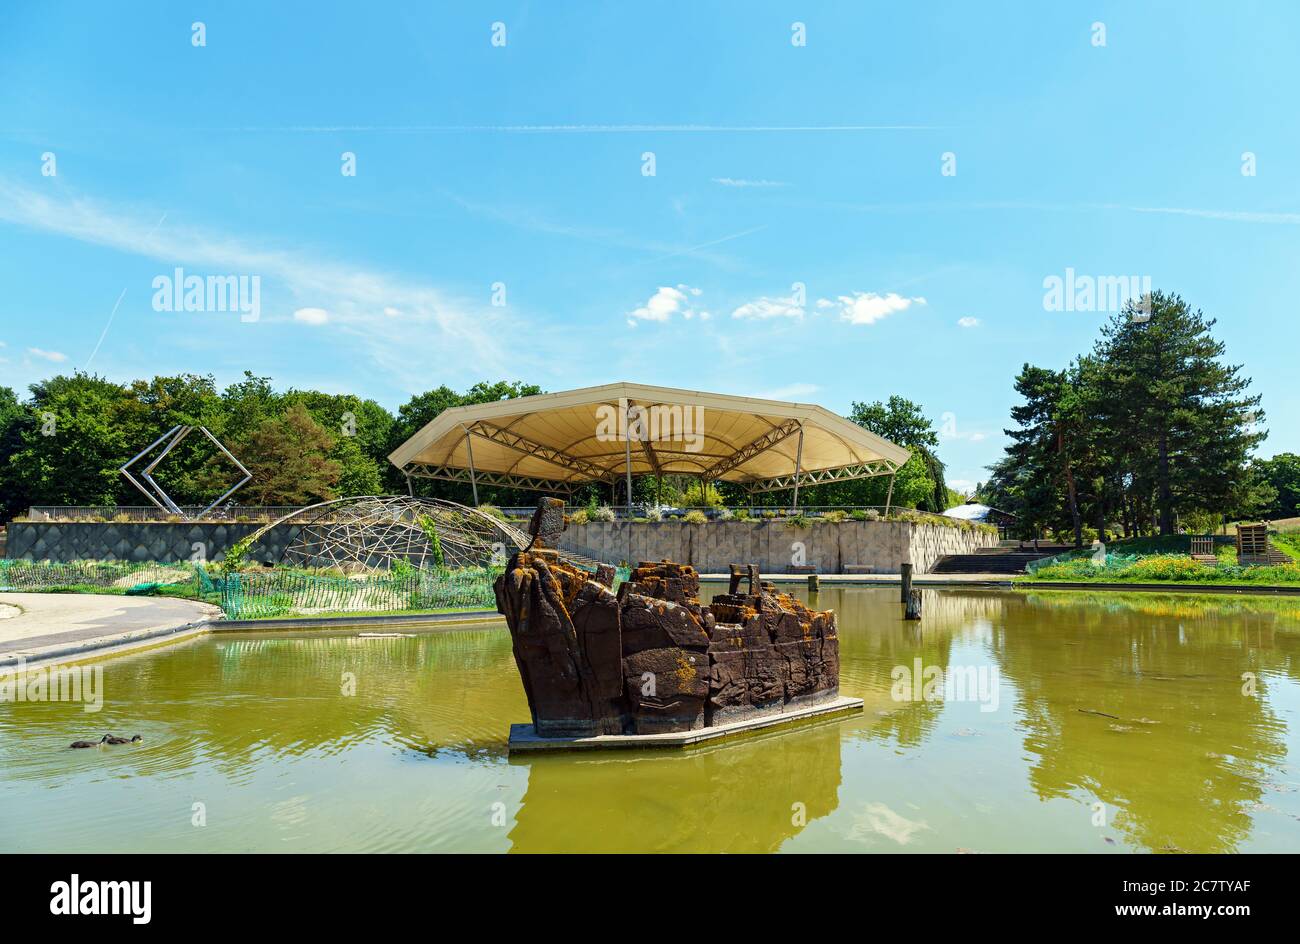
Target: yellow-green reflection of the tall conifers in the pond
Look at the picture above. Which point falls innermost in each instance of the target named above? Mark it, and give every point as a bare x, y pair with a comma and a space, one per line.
1141, 704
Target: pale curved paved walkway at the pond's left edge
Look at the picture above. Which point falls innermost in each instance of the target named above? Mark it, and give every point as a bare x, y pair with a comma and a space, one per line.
63, 626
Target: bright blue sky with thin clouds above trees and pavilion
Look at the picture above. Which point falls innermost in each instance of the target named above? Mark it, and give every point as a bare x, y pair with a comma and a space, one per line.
522, 164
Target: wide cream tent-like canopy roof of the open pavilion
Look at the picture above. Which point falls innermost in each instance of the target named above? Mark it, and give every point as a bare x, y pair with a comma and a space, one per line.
558, 441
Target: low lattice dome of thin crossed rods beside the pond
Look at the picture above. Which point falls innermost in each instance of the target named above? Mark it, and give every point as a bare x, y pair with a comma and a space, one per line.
374, 532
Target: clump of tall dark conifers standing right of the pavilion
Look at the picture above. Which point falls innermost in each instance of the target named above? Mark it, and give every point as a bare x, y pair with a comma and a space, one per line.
1151, 432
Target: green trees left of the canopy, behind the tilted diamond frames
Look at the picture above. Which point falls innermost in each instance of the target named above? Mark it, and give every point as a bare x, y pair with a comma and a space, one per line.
66, 443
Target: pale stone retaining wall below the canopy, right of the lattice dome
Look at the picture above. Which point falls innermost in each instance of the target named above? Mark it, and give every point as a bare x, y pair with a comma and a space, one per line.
778, 547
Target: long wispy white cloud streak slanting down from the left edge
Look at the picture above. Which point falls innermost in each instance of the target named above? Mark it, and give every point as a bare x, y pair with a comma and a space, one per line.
357, 300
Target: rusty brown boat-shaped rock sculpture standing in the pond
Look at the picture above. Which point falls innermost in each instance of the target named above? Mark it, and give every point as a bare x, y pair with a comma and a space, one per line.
653, 659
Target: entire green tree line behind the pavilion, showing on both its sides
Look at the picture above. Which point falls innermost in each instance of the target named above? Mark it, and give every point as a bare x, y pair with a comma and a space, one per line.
67, 441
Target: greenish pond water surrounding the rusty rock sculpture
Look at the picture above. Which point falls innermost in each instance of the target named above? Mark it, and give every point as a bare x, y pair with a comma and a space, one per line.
1107, 724
